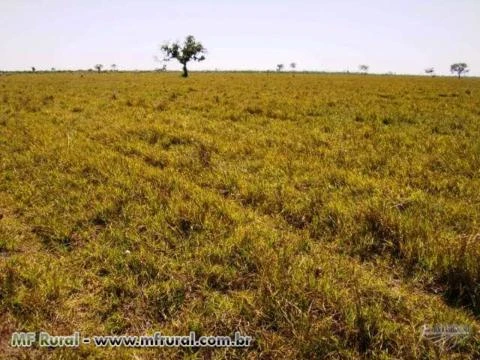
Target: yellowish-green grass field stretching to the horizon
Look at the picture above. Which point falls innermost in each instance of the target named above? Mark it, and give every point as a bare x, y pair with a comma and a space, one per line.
326, 216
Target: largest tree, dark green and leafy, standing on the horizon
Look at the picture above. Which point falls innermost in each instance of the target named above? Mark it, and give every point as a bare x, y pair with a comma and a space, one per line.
190, 50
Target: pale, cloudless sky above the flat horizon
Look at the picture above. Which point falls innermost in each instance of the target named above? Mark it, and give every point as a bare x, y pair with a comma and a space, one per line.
399, 36
